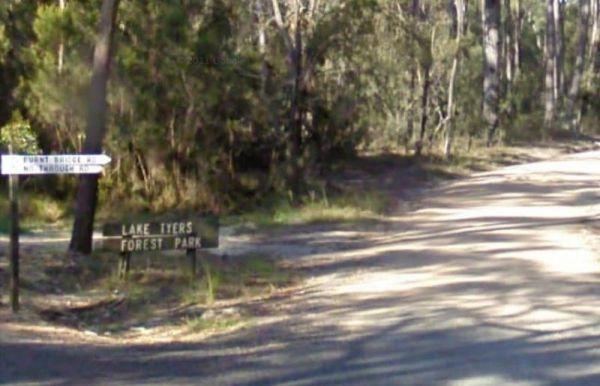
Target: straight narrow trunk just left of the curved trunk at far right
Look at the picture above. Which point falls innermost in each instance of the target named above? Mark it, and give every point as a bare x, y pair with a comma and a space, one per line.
550, 68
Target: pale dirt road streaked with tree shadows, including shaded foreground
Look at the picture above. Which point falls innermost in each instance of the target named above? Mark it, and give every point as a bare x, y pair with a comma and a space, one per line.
495, 281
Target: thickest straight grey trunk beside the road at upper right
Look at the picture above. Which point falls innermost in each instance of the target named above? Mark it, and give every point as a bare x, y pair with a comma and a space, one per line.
491, 80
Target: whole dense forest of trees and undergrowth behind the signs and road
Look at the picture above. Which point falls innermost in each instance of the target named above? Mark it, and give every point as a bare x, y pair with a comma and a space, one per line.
215, 104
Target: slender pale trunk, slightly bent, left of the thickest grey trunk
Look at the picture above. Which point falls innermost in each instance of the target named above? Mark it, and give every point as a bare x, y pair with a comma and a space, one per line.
458, 12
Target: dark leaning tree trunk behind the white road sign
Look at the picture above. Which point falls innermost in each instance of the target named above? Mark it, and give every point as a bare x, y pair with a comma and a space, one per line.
87, 192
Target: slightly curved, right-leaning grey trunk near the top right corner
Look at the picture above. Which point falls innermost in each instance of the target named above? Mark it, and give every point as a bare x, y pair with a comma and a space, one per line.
573, 93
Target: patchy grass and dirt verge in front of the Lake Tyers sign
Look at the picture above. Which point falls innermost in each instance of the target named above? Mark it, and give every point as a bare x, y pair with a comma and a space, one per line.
160, 291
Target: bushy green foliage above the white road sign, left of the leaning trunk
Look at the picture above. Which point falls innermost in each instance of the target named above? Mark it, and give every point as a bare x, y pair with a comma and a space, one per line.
55, 93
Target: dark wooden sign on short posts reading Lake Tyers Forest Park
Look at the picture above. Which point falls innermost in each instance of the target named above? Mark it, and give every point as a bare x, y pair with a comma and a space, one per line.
188, 234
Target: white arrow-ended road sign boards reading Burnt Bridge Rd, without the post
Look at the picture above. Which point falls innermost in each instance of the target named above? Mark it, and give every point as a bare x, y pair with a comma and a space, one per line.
54, 164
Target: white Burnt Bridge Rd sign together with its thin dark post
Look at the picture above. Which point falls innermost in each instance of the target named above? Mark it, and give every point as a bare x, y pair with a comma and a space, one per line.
15, 165
